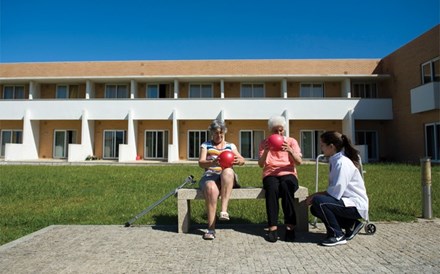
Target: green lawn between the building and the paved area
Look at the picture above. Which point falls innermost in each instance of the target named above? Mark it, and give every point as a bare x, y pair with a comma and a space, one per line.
33, 197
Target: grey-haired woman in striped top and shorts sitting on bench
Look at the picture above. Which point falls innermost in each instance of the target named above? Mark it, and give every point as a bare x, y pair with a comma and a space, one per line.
217, 181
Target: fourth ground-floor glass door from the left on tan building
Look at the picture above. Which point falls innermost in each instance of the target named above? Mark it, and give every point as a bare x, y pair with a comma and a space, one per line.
156, 144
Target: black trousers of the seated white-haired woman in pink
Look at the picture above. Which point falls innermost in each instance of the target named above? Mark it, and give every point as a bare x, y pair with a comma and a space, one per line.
283, 187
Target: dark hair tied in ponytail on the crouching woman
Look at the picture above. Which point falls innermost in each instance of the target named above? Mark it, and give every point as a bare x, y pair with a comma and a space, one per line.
341, 141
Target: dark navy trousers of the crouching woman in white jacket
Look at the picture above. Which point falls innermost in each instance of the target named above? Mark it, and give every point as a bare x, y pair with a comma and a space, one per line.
334, 214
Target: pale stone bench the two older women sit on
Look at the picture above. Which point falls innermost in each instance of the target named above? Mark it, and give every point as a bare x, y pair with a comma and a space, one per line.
185, 195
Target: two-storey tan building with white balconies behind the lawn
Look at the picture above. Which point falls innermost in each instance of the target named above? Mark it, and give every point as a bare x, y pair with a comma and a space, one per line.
160, 110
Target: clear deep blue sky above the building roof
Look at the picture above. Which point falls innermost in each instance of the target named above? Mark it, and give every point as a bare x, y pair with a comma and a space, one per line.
107, 30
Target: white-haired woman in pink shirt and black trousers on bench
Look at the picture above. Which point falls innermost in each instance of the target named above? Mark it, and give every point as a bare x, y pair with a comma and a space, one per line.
280, 179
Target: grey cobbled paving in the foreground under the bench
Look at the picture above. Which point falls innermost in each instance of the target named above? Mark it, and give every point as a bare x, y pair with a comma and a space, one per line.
395, 248
